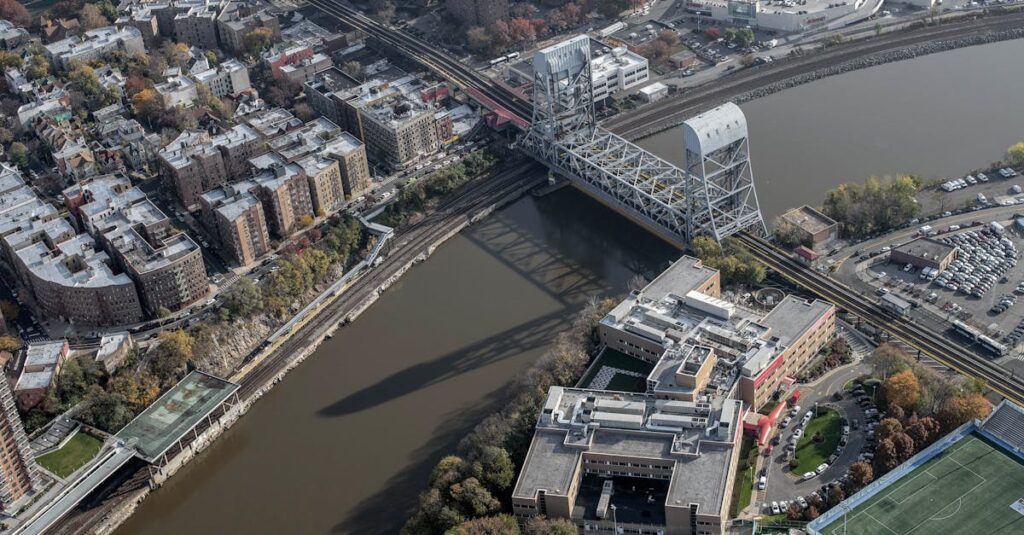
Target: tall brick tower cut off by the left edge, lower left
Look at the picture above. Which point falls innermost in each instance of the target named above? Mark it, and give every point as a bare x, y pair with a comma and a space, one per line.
19, 475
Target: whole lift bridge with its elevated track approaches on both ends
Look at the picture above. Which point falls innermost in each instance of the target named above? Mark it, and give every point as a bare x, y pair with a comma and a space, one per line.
713, 195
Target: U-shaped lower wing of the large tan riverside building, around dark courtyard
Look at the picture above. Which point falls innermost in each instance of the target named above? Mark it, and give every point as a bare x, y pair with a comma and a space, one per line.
596, 450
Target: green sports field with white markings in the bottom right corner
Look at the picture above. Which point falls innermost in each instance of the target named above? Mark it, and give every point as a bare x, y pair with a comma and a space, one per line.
970, 488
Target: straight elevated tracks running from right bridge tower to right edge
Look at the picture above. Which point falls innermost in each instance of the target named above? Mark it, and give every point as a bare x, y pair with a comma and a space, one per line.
919, 338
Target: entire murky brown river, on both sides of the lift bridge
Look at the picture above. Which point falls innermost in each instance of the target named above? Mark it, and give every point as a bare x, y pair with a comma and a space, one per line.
347, 441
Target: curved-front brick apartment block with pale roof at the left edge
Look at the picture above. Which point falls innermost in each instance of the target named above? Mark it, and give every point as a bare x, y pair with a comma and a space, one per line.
69, 276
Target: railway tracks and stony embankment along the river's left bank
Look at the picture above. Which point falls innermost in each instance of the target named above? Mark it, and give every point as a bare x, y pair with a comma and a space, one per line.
316, 332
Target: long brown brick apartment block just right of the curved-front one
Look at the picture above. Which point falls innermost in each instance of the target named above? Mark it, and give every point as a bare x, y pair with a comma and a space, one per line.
165, 265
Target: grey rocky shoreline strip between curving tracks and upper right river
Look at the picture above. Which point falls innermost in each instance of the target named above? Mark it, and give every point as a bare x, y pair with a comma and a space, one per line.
864, 63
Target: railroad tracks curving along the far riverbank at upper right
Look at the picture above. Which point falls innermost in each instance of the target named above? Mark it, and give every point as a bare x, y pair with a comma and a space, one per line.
708, 96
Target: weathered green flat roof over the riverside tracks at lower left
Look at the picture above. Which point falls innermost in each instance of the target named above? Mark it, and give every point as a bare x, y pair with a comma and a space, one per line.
176, 414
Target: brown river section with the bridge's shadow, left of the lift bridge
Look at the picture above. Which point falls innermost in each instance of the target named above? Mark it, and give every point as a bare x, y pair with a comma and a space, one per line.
348, 440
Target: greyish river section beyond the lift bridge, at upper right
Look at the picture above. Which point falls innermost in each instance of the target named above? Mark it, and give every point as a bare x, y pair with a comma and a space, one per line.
937, 115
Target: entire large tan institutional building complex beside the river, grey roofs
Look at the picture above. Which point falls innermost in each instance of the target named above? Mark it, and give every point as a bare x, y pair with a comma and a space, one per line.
677, 444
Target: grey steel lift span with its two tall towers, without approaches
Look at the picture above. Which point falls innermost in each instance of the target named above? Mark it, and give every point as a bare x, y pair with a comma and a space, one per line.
713, 196
